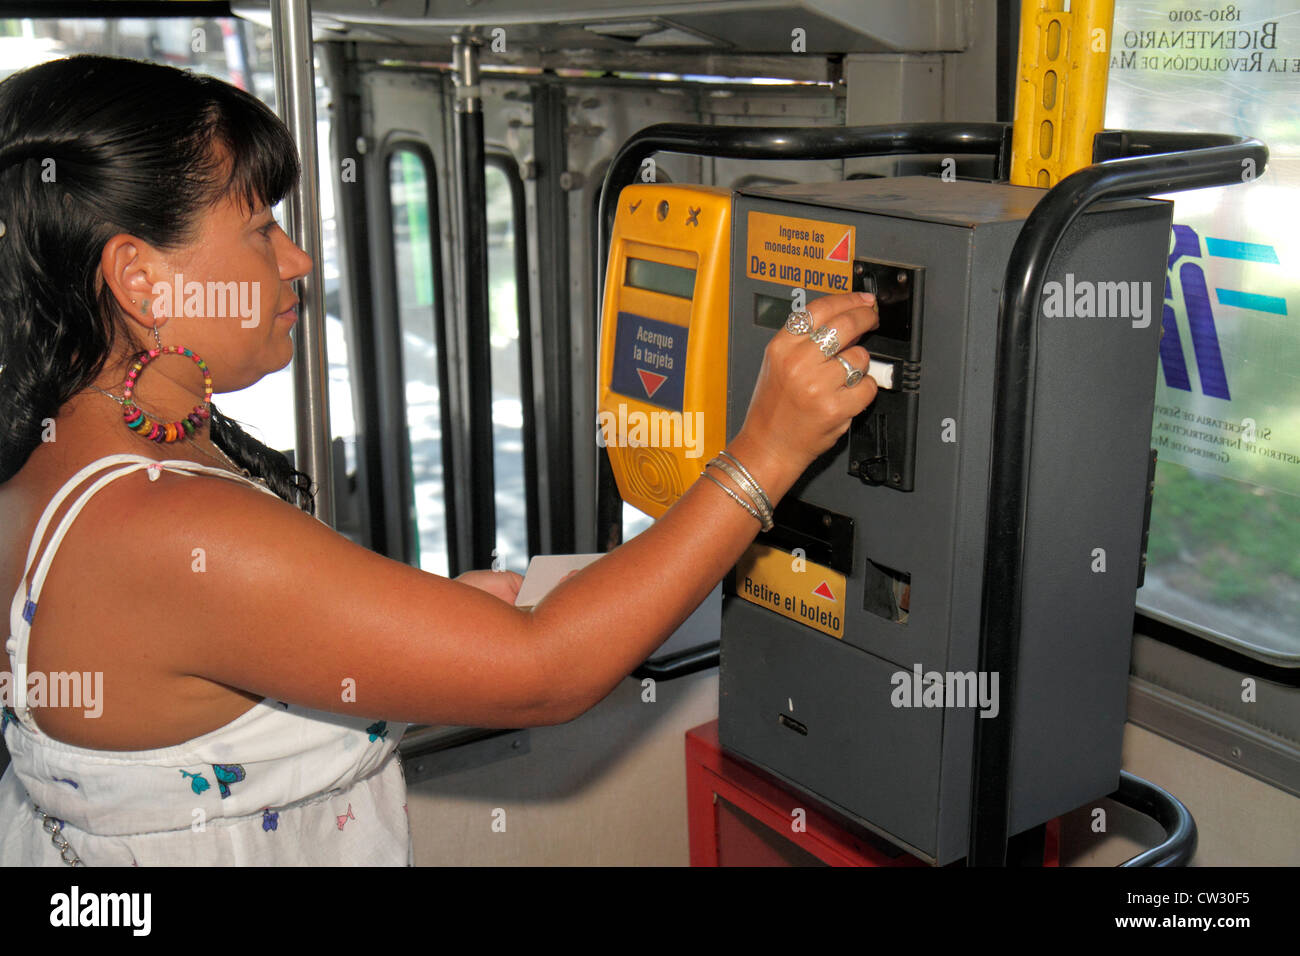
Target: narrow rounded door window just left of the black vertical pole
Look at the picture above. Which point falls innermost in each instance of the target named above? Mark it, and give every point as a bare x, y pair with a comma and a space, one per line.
417, 285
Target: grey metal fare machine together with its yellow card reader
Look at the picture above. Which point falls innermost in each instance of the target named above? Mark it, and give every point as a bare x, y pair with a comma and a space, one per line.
851, 633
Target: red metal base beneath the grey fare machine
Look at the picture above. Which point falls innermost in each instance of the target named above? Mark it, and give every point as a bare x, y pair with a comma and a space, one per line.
742, 817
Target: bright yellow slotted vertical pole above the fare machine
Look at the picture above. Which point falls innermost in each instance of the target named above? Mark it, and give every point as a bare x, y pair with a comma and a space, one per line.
1061, 88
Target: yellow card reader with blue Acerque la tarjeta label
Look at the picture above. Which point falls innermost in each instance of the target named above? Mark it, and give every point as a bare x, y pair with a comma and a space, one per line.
664, 340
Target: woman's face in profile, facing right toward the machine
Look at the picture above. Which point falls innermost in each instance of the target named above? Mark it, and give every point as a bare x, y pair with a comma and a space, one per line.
229, 296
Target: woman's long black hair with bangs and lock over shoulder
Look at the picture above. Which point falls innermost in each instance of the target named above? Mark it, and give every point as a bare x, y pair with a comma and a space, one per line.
135, 148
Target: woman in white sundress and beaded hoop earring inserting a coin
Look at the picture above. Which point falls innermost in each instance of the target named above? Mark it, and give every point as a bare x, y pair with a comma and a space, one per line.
257, 668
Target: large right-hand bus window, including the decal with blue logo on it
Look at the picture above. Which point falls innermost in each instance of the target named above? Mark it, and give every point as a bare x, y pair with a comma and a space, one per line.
1223, 555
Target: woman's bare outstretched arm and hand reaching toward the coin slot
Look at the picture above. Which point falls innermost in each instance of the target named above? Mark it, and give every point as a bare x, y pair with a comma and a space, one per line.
292, 611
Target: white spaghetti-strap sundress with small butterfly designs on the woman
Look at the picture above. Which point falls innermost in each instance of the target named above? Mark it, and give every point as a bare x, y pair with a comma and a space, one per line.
280, 785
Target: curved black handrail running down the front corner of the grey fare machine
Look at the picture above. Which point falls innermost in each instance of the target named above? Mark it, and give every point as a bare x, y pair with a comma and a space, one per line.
1201, 161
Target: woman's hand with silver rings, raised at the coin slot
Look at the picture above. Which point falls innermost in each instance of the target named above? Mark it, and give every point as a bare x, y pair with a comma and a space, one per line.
801, 406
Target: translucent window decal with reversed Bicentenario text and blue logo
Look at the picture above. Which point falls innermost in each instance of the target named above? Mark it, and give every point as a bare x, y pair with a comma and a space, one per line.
1229, 388
